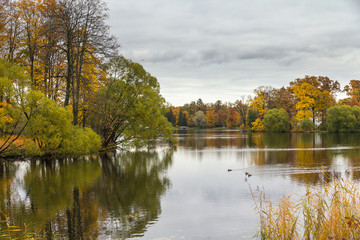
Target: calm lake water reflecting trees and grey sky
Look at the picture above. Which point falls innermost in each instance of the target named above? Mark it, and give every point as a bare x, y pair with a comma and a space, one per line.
186, 193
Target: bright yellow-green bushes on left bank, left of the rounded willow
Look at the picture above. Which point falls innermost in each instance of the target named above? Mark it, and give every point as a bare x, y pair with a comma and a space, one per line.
50, 130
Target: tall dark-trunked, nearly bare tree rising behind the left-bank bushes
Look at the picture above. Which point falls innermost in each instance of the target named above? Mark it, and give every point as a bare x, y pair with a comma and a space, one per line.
85, 39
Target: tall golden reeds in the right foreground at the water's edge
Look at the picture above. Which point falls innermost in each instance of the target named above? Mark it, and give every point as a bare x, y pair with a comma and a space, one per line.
330, 211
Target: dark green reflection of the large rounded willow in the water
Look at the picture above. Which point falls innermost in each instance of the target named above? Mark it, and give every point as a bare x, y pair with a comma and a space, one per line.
135, 183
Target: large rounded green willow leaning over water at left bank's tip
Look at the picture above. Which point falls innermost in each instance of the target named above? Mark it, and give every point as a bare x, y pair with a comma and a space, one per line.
129, 108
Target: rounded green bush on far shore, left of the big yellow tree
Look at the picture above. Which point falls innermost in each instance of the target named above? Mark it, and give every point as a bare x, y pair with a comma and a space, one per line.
277, 120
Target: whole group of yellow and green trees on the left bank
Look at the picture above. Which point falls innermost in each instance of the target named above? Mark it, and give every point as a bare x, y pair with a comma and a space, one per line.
64, 87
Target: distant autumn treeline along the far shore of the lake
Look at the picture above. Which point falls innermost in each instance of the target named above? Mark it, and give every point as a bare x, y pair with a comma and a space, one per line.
306, 104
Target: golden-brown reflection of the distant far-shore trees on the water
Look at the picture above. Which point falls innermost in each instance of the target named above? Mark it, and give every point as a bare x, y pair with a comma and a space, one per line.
304, 157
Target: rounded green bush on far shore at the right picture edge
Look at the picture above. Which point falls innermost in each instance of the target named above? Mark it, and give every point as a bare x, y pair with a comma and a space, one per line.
342, 119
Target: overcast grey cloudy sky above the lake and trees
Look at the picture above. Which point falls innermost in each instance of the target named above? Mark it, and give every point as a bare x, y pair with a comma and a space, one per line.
222, 50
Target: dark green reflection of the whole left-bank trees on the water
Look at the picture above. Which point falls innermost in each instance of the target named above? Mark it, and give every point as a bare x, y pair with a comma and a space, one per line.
114, 196
